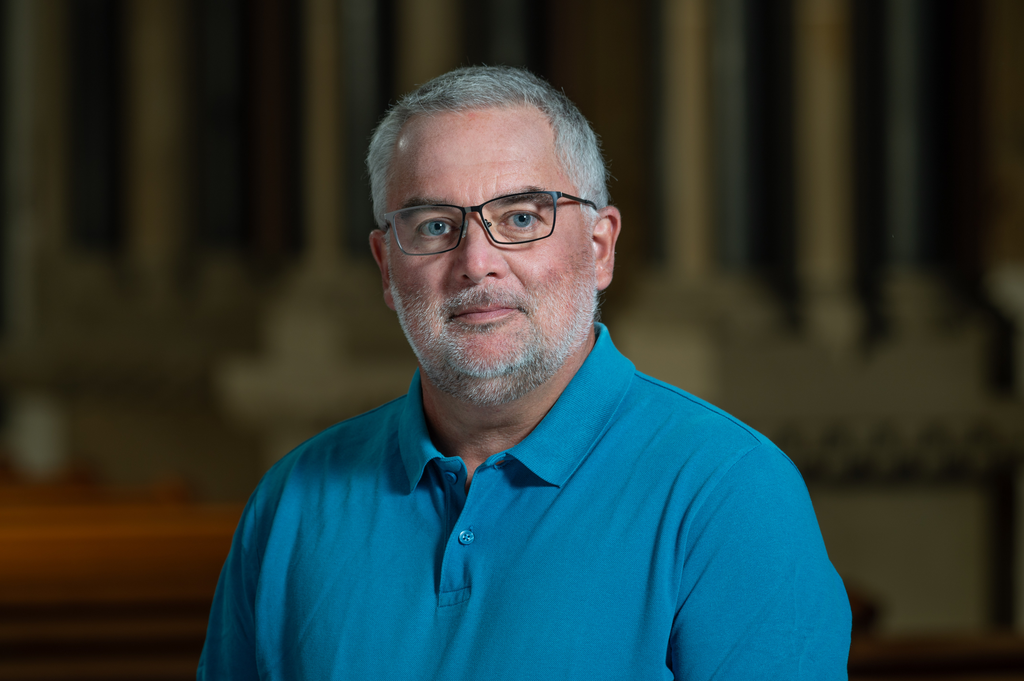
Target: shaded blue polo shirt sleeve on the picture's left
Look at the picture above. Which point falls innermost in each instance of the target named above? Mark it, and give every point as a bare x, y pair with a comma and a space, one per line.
230, 652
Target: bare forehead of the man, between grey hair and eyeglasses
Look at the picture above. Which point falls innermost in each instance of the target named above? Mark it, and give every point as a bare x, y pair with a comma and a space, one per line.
470, 157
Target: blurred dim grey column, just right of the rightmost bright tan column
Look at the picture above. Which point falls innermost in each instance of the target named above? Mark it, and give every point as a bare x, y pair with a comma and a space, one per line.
912, 296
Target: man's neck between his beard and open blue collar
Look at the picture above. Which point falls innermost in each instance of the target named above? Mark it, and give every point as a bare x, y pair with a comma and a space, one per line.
475, 434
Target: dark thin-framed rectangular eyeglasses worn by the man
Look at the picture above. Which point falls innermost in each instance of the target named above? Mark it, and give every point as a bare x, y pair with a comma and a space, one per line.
517, 219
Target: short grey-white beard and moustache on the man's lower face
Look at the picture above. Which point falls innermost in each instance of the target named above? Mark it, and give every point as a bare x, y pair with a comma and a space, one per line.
446, 358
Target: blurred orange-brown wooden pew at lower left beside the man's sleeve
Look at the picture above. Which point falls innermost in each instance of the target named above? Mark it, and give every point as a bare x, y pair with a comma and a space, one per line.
106, 585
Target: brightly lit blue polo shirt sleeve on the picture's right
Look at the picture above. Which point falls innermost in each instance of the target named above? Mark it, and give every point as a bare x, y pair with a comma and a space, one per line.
759, 599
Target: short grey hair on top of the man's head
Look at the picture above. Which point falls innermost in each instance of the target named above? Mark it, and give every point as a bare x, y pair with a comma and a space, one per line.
473, 89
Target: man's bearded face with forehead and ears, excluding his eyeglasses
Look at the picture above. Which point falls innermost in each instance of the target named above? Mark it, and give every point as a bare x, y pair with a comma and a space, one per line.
488, 322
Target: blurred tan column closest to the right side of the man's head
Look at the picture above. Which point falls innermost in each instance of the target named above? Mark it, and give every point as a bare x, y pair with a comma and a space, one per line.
687, 132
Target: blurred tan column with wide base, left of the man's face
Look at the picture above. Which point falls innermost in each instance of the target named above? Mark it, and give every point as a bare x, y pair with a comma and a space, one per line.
306, 378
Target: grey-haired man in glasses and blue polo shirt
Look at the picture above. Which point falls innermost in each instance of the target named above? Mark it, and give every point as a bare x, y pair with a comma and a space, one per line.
534, 508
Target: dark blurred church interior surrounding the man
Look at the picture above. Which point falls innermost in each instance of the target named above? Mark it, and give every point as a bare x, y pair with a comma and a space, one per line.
824, 234
